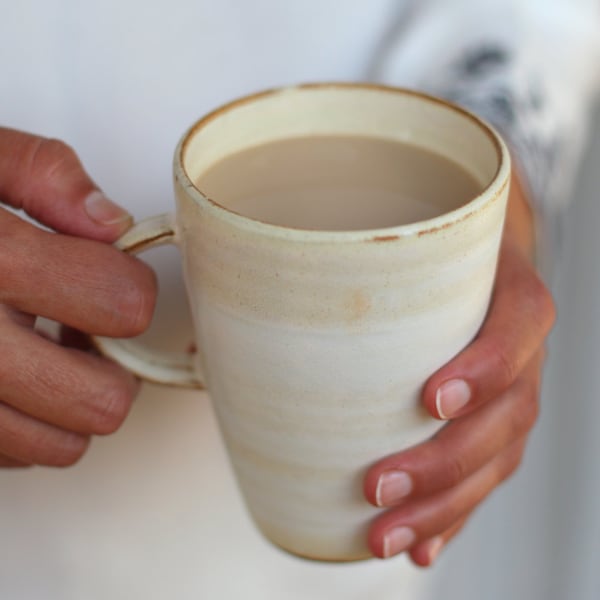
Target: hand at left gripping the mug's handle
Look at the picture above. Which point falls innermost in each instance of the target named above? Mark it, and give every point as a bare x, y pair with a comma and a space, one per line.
54, 397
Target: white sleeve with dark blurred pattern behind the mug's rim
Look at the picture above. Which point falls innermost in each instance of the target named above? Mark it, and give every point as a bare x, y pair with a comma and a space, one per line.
529, 67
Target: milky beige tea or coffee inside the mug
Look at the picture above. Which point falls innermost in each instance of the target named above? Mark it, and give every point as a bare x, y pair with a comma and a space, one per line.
338, 183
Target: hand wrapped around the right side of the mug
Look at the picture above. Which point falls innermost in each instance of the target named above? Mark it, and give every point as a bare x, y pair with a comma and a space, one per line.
434, 487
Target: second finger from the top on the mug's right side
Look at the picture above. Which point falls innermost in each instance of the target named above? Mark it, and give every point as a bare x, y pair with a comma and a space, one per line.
458, 450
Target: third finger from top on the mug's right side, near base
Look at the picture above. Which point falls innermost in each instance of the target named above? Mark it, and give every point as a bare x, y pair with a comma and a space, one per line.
401, 528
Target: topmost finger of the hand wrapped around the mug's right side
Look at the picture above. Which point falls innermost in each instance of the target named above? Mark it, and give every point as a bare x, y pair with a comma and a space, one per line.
520, 317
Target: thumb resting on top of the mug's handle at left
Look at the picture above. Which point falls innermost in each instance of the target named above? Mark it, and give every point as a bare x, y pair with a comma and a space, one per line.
46, 179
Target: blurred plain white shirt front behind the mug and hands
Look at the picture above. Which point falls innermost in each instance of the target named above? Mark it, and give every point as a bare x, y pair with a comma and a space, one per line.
152, 511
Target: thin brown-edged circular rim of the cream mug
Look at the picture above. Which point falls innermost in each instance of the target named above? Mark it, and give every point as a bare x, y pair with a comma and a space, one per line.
487, 195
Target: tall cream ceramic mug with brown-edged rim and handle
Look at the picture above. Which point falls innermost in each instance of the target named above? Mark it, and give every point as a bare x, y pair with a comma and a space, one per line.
315, 345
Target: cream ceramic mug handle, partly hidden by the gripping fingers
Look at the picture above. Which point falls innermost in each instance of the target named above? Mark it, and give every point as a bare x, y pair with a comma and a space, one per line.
168, 368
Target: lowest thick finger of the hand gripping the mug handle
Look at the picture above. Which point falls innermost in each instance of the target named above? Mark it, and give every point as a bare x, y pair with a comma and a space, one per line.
30, 441
